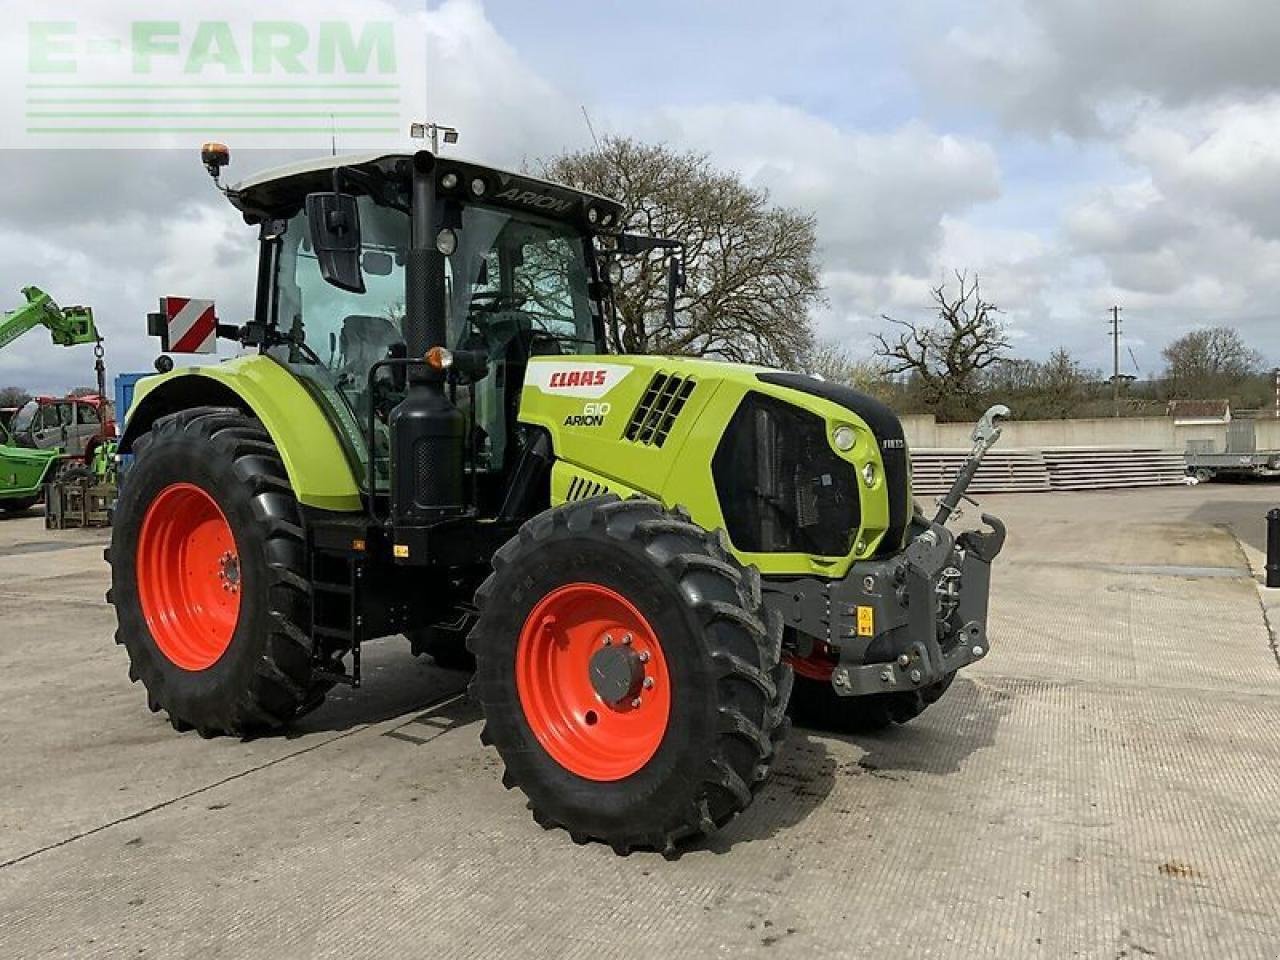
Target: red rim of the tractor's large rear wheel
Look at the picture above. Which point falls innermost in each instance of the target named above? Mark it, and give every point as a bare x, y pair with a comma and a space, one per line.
189, 577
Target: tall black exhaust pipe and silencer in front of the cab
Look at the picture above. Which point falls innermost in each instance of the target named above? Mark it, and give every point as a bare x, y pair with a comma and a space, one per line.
427, 429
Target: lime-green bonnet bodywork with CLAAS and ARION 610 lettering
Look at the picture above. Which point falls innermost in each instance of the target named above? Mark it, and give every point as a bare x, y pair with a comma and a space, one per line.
588, 424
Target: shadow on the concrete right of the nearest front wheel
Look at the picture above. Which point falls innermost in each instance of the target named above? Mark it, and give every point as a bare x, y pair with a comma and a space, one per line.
936, 744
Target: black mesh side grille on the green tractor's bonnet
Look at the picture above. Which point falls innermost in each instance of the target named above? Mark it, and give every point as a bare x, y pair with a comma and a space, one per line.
781, 487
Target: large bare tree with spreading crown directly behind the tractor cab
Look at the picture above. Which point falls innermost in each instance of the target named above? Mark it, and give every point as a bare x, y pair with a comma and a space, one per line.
752, 268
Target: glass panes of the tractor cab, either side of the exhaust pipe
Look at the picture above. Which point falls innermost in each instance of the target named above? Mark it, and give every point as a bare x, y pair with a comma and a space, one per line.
516, 287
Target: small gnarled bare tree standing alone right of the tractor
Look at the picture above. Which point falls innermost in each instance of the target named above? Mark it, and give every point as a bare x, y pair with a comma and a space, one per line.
947, 358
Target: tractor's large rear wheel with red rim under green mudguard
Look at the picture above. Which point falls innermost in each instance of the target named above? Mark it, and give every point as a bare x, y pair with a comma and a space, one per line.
209, 577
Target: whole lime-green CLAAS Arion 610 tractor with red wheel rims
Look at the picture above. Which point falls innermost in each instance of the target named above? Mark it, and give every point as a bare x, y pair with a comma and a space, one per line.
637, 555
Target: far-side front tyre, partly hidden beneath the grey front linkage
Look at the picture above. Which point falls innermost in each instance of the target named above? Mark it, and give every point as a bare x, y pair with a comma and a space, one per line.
817, 706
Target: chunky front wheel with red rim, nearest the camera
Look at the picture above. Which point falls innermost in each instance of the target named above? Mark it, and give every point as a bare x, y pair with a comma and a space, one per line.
627, 674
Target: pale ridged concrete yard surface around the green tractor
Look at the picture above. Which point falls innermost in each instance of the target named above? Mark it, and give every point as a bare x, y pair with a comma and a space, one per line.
1107, 784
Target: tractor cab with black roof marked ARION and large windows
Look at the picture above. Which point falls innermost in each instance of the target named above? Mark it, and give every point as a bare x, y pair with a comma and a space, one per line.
510, 268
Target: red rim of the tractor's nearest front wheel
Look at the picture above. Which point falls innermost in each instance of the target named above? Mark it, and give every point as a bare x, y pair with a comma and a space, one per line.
602, 738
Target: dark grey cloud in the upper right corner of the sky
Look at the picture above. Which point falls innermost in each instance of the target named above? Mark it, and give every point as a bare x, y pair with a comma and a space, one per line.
1076, 66
